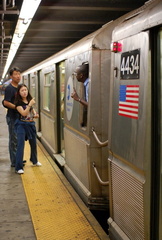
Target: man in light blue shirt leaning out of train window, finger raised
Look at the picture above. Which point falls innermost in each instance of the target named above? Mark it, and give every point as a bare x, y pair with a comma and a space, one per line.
81, 73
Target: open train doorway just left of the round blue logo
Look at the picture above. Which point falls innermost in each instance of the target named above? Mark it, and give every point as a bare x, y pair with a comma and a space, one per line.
60, 76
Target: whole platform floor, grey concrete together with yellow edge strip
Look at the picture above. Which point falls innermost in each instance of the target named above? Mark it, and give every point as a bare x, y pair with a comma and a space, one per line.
40, 204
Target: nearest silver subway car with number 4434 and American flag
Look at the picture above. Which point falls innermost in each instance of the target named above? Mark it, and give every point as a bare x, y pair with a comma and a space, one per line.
135, 129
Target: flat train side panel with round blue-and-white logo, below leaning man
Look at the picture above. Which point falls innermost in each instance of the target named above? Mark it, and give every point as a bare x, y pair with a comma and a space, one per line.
76, 140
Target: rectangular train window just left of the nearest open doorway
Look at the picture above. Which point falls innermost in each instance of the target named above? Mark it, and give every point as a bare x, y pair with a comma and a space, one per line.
46, 91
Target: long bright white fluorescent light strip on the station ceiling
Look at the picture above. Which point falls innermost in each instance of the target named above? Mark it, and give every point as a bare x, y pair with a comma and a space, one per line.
28, 9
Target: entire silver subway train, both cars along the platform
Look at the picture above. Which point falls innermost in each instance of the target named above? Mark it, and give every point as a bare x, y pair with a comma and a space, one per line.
113, 159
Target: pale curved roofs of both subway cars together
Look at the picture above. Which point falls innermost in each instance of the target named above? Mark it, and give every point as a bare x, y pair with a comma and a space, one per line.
147, 16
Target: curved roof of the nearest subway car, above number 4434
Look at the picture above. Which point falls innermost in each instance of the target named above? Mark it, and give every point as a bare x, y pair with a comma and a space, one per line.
145, 17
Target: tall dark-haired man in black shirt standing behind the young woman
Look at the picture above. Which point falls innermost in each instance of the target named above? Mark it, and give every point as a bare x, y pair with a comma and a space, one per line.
12, 115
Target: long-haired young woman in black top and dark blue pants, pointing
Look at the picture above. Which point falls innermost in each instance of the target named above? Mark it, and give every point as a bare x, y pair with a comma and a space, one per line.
25, 127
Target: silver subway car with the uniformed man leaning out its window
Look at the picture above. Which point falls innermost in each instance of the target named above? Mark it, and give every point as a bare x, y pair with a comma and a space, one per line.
77, 139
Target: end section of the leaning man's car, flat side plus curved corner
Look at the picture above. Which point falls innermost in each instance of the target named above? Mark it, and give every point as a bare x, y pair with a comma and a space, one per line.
82, 150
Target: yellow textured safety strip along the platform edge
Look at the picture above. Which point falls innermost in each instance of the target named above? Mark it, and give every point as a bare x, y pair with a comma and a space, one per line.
54, 213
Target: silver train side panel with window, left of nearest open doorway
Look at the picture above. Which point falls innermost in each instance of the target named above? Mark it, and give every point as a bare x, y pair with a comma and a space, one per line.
48, 101
